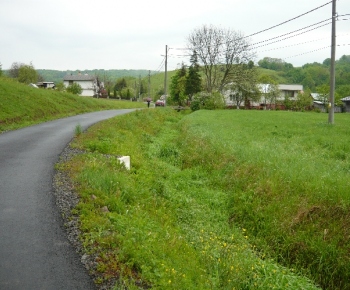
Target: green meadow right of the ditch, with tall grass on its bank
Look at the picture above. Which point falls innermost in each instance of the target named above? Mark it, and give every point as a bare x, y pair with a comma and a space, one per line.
289, 186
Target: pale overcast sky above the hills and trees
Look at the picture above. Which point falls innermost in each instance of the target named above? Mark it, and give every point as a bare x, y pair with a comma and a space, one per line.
112, 34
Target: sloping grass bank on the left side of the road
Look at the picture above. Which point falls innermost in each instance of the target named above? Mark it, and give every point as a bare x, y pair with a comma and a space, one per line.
21, 105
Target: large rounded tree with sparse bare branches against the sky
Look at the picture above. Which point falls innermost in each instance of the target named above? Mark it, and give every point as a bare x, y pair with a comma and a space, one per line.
219, 50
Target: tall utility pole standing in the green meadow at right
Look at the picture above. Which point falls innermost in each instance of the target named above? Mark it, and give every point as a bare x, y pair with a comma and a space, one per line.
332, 72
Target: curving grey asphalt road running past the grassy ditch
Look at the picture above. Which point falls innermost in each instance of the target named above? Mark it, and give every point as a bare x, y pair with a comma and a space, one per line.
34, 250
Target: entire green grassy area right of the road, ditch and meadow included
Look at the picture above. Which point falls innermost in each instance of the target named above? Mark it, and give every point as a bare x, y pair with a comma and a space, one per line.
217, 200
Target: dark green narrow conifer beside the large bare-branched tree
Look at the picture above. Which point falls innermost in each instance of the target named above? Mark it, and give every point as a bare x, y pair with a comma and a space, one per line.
193, 83
